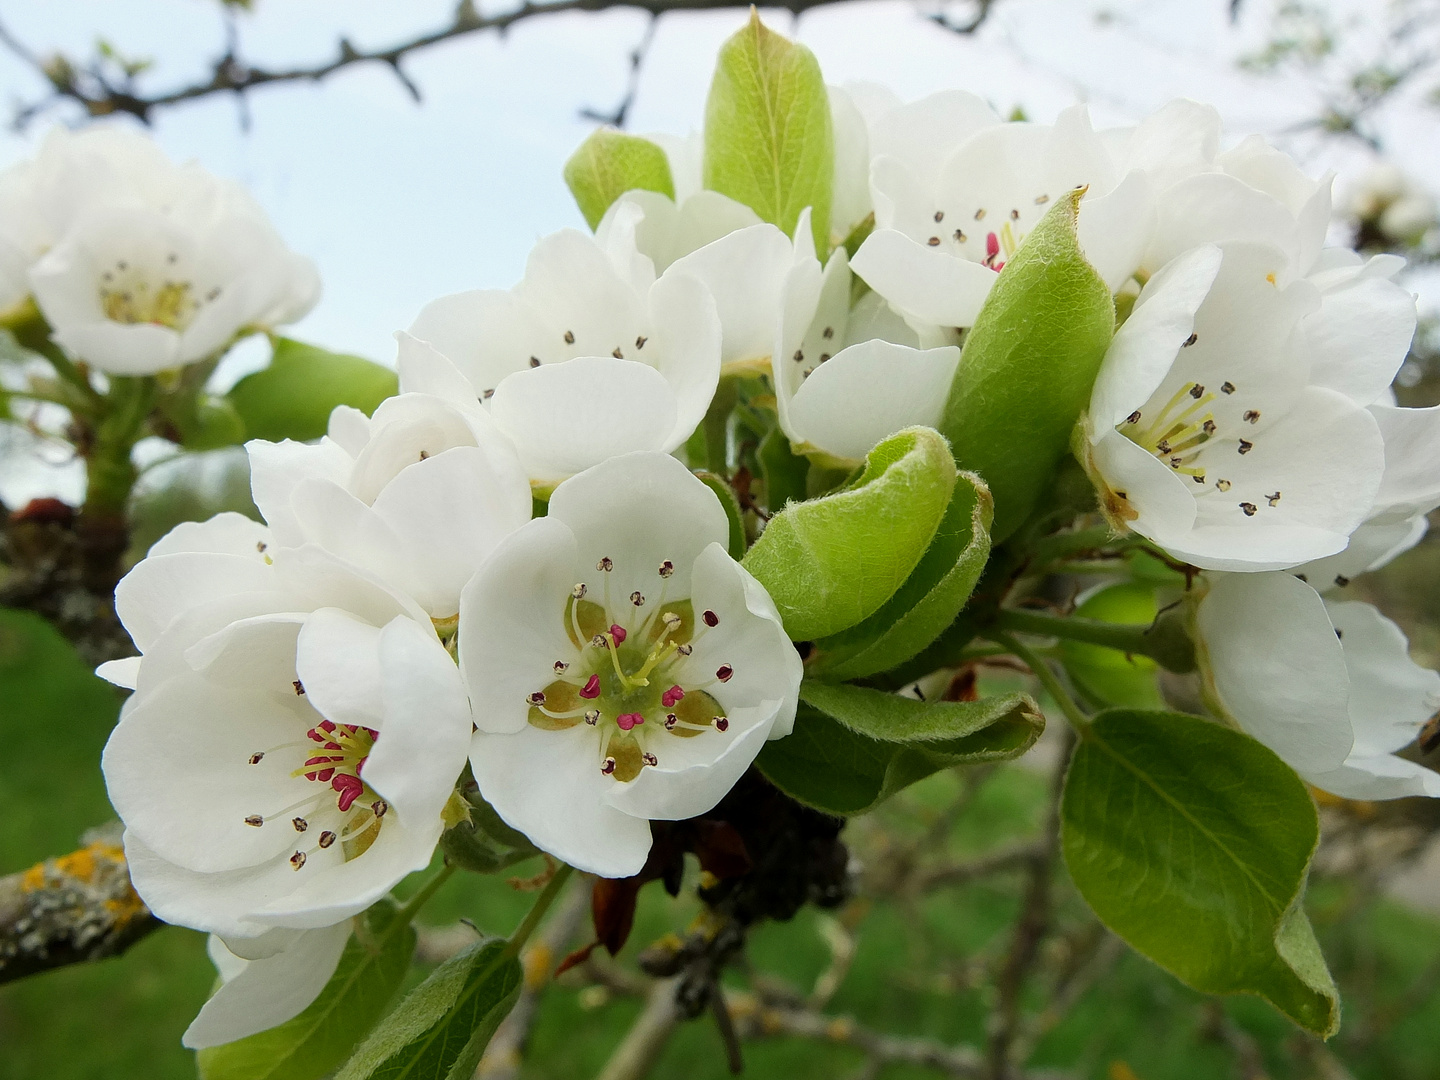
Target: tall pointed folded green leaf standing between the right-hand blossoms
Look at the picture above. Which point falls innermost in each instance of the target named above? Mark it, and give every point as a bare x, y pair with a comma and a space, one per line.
1029, 365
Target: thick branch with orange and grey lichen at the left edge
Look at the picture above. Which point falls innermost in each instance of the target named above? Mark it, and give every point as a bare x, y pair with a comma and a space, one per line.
71, 909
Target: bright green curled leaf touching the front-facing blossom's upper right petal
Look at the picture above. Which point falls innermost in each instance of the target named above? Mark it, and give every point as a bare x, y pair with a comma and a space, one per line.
832, 562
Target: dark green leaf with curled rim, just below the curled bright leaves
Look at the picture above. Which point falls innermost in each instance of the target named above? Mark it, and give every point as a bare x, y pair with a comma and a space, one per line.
853, 748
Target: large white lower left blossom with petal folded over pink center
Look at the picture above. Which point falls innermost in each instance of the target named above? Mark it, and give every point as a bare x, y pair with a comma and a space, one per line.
296, 731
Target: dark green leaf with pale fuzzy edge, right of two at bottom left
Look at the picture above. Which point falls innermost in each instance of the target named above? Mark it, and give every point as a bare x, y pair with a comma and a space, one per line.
441, 1027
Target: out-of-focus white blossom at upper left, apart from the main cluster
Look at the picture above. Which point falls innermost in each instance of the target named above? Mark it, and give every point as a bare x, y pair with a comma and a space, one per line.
139, 264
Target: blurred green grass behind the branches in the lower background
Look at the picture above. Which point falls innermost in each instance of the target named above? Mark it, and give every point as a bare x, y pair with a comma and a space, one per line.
915, 971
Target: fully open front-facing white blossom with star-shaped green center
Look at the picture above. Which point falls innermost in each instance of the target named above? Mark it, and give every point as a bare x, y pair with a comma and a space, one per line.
623, 667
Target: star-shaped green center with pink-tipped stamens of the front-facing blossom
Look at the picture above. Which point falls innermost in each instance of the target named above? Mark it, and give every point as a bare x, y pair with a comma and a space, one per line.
631, 675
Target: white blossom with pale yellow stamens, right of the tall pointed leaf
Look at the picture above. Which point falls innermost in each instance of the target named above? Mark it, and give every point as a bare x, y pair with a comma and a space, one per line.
1206, 433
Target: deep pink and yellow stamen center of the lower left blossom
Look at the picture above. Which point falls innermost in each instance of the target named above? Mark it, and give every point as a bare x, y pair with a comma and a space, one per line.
338, 804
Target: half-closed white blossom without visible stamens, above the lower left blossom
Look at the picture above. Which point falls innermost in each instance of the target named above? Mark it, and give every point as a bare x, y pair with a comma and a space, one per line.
418, 495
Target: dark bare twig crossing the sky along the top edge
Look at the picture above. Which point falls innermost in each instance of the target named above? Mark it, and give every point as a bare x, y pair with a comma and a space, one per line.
99, 91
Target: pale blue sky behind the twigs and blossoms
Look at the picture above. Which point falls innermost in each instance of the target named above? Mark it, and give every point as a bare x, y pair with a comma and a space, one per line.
401, 204
